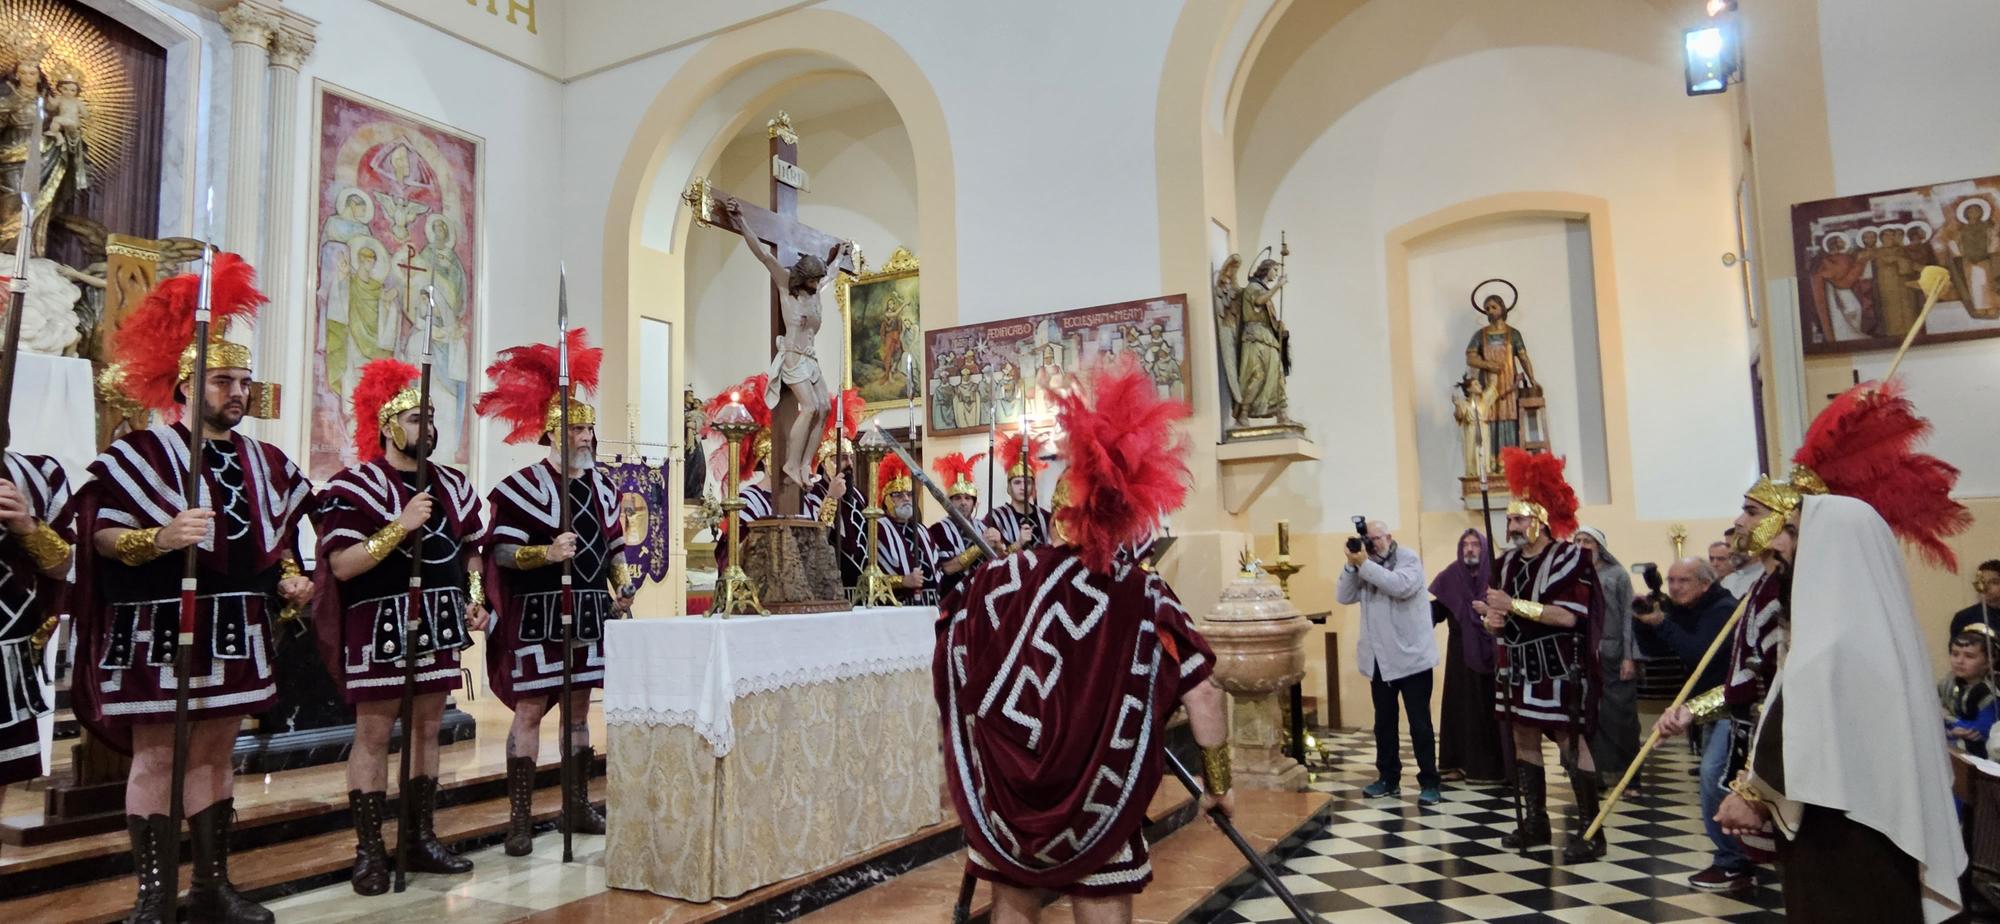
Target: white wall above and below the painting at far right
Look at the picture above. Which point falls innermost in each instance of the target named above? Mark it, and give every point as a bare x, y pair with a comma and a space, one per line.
1909, 101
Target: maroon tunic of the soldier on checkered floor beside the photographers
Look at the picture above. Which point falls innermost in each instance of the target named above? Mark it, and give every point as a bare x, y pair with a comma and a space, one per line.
1551, 675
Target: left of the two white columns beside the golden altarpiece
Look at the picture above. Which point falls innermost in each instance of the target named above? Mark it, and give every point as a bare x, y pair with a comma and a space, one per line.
251, 29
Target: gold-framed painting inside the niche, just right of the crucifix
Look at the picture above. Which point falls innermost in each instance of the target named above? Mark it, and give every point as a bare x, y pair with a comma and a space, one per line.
885, 331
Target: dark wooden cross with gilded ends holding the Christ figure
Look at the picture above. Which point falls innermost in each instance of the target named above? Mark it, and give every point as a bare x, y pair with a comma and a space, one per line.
789, 239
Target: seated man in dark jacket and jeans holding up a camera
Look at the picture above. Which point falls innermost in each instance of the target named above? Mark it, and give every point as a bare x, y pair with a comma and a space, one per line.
1689, 621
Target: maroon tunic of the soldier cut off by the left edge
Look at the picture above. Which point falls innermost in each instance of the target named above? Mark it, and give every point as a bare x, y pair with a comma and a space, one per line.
27, 599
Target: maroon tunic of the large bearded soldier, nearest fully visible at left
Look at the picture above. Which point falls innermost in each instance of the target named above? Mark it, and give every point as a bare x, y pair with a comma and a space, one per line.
127, 617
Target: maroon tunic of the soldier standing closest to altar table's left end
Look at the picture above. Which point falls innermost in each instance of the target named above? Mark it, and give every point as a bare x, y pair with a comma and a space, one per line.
525, 645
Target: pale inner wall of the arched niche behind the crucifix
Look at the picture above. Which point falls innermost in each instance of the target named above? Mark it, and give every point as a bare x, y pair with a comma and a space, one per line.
863, 189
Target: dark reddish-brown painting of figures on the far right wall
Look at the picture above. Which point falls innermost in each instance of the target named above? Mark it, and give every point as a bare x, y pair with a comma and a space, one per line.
1859, 259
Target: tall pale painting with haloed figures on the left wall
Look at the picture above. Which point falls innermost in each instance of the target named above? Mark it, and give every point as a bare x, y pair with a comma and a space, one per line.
397, 211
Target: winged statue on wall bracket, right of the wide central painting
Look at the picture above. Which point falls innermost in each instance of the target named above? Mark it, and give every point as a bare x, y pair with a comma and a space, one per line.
1253, 341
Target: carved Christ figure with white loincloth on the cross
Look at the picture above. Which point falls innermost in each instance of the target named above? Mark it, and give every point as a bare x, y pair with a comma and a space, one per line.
797, 367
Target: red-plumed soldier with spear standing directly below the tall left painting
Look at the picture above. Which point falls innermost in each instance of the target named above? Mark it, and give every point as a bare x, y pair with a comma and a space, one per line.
367, 515
